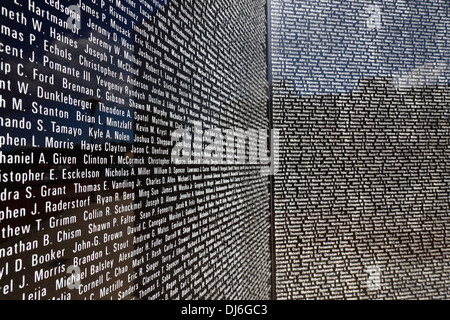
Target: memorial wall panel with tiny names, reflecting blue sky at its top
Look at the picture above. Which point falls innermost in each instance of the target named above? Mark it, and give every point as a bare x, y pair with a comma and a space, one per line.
361, 100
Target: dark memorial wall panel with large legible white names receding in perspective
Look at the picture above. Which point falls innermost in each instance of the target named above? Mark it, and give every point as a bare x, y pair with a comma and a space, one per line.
126, 136
